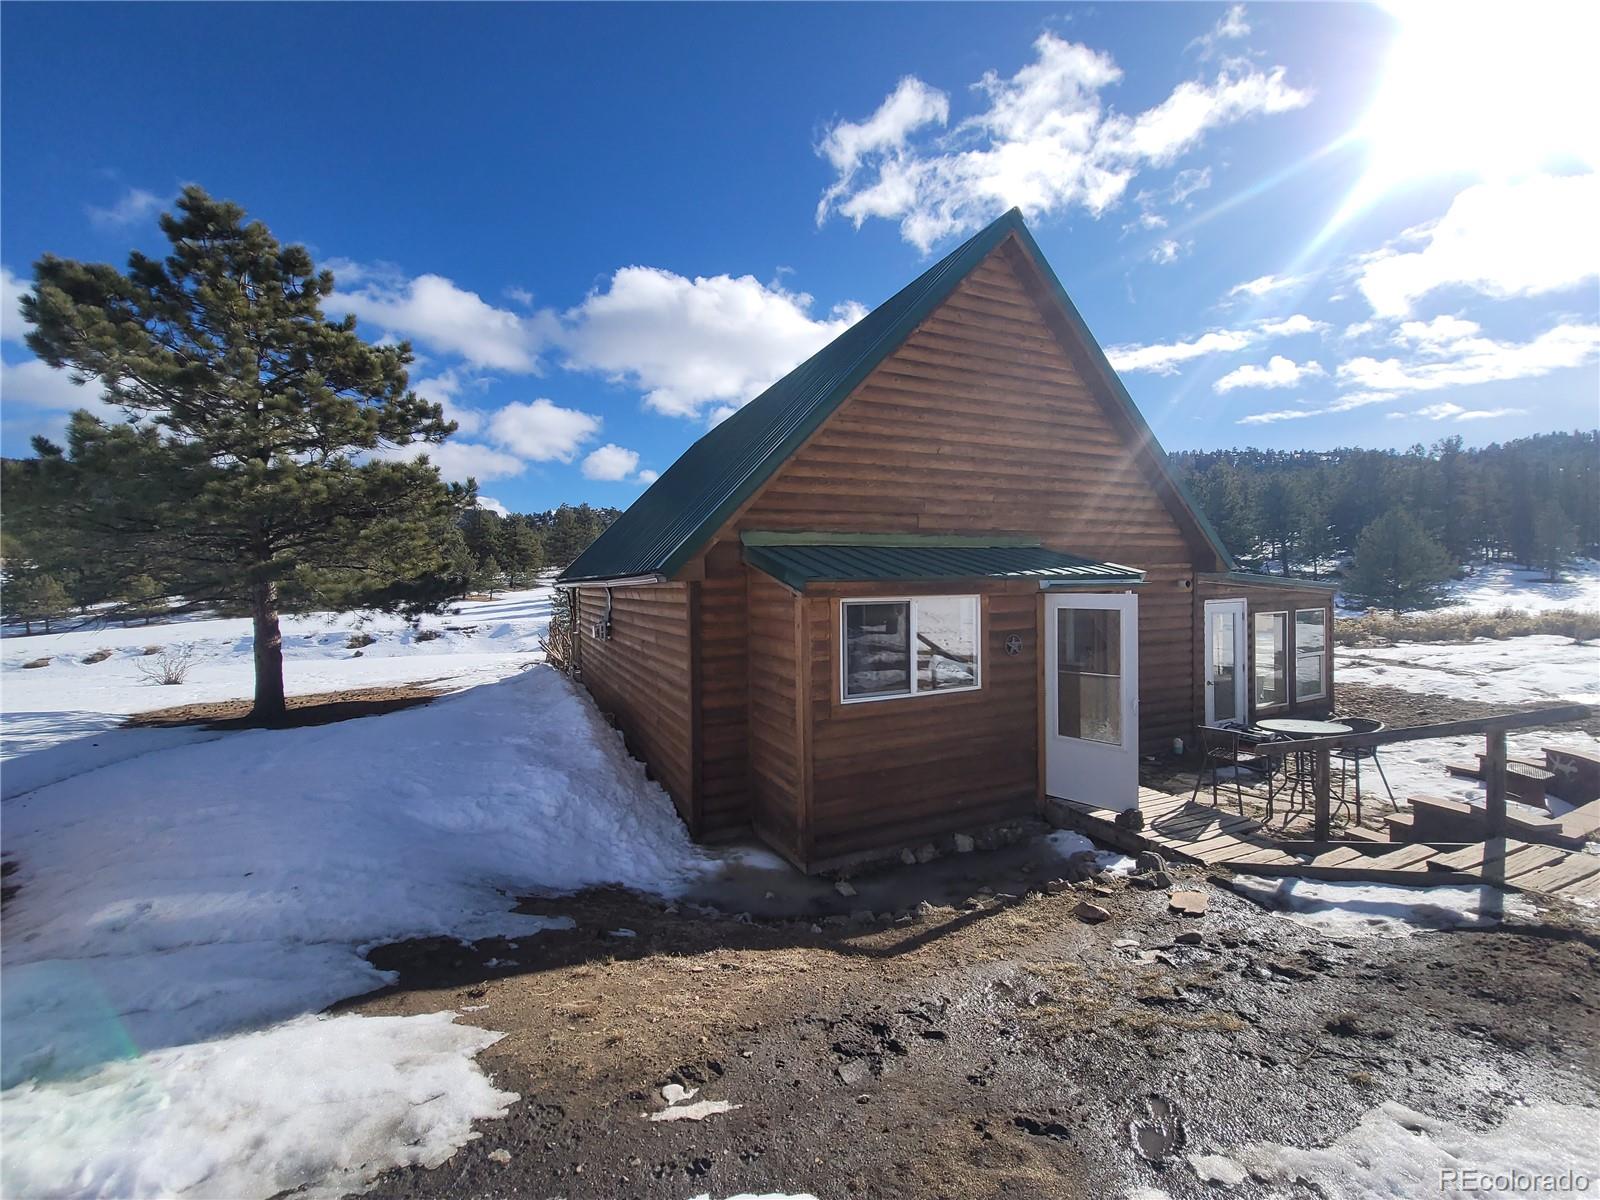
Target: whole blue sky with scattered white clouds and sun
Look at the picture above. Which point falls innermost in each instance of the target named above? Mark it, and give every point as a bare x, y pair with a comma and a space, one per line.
602, 228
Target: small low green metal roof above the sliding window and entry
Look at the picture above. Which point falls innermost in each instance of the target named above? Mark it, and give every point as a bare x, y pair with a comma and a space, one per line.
844, 562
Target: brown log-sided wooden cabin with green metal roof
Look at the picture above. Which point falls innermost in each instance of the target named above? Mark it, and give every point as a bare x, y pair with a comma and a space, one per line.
934, 575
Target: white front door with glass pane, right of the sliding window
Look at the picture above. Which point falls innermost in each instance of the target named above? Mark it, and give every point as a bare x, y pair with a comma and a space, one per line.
1092, 700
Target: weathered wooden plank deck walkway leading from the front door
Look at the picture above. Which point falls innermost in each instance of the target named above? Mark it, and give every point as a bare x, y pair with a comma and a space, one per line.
1191, 831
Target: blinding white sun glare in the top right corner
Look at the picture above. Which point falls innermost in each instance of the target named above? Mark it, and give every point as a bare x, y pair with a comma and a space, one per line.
1486, 90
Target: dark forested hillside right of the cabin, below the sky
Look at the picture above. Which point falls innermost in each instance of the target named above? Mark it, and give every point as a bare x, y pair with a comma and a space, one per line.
1404, 521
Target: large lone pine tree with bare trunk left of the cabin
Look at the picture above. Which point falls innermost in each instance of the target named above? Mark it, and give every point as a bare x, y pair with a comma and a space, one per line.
246, 476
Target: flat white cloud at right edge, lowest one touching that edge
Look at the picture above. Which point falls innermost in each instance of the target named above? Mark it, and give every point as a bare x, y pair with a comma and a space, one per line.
1452, 353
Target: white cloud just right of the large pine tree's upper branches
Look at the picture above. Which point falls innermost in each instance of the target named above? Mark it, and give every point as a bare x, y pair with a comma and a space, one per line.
434, 311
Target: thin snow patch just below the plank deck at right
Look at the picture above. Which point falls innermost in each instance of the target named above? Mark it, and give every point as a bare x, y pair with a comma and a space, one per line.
1382, 910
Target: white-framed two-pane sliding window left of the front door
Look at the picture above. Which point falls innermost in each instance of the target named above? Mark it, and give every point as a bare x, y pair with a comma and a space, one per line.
916, 647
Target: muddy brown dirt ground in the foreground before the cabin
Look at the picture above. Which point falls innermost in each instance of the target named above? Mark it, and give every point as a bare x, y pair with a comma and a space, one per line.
994, 1047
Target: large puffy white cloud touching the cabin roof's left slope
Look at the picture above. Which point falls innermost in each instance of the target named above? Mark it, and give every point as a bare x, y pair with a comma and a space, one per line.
697, 343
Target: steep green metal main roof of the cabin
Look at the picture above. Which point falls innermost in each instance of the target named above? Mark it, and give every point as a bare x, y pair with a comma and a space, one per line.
697, 495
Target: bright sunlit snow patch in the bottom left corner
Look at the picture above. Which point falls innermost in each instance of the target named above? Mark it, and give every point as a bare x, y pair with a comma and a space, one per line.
318, 1103
